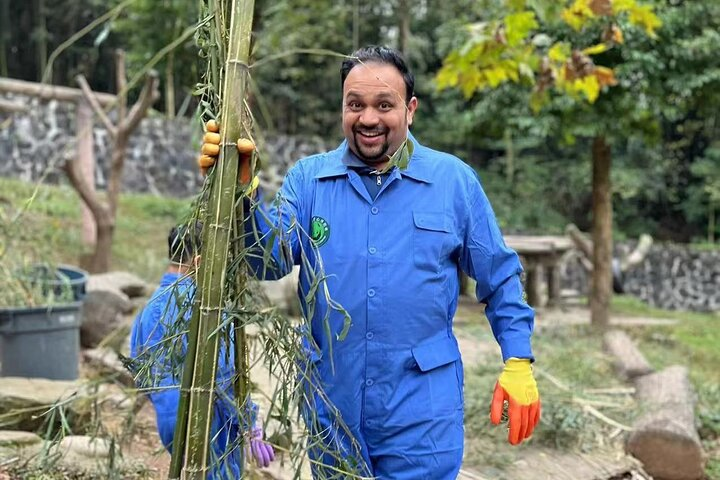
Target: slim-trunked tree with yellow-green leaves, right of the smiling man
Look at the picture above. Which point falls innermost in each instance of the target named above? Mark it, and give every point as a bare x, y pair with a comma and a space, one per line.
576, 58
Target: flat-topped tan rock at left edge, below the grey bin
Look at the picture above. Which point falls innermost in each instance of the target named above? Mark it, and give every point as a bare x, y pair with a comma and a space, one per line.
23, 401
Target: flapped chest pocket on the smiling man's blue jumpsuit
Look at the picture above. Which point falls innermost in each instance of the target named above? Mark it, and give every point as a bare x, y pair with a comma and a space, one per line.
430, 239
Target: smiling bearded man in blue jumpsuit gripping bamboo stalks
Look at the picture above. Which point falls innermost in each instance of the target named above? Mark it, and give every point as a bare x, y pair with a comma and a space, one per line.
390, 243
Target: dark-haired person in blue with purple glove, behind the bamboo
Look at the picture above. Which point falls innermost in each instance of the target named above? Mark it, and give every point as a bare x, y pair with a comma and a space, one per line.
158, 344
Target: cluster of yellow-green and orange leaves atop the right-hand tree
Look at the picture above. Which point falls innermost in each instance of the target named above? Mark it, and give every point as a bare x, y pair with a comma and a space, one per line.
517, 48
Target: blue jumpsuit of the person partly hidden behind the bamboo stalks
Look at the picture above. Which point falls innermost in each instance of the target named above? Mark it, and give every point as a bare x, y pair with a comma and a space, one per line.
156, 329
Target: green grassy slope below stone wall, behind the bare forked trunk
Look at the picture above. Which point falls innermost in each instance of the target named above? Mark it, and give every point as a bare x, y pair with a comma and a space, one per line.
47, 224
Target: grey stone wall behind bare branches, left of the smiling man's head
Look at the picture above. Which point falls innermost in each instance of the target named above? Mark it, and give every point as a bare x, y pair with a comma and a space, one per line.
160, 159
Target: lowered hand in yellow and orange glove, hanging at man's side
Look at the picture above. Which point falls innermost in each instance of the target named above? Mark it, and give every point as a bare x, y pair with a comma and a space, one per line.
517, 385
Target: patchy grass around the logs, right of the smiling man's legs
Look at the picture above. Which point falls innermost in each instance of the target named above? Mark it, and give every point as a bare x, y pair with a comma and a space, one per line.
574, 358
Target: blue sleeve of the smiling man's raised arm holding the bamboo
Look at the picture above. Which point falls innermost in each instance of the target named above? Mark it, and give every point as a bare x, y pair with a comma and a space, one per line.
273, 231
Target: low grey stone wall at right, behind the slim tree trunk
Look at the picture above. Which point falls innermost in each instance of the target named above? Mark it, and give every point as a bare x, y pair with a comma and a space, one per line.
674, 277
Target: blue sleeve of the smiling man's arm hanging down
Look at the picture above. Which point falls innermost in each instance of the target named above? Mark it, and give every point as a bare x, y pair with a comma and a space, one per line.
496, 270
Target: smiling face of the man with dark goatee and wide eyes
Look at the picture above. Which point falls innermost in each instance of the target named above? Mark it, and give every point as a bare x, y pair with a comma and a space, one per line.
375, 115
